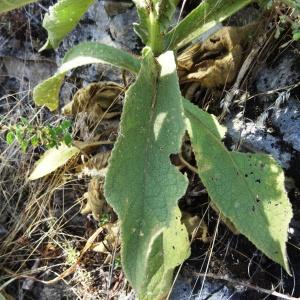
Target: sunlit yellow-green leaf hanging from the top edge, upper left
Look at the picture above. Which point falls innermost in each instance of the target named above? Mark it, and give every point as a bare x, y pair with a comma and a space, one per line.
62, 18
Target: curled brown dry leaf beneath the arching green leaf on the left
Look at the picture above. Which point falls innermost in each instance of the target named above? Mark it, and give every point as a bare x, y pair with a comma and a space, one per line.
95, 100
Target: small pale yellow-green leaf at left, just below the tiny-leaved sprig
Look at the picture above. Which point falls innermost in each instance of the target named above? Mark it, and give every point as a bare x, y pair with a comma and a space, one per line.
52, 159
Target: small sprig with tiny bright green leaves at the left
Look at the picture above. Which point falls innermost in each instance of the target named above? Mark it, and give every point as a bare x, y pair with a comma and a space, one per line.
49, 136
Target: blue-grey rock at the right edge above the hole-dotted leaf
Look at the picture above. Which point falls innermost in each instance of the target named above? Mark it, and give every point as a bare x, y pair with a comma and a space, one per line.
280, 109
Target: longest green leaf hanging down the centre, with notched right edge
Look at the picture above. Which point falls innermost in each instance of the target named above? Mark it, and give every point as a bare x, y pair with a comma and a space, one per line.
141, 184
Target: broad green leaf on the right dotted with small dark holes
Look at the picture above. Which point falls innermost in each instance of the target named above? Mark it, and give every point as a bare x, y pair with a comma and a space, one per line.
247, 188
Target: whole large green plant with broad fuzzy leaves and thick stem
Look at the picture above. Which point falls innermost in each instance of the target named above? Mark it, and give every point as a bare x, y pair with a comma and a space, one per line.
141, 183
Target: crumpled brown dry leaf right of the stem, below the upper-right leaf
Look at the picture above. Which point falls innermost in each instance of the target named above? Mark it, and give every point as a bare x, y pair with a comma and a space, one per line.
216, 61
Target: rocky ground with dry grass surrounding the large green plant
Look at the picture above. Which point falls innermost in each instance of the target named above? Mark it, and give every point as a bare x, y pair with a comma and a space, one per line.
41, 227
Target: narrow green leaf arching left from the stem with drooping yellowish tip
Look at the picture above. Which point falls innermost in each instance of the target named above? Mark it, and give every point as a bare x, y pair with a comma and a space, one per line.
47, 92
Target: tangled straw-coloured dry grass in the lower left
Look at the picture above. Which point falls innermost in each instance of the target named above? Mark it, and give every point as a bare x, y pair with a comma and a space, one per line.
42, 225
